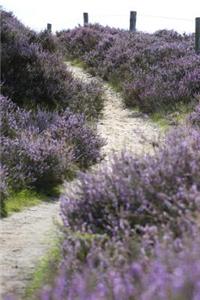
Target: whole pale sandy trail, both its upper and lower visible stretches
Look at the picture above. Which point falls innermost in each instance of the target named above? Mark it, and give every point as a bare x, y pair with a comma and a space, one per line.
26, 236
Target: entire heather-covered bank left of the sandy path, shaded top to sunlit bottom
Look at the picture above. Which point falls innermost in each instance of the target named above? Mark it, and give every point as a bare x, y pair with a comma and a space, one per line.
45, 134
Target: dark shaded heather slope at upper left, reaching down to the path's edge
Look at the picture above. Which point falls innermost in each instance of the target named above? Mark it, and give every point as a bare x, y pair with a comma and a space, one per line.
33, 73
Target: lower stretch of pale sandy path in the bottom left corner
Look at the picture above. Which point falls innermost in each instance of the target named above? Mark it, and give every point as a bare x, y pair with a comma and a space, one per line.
25, 237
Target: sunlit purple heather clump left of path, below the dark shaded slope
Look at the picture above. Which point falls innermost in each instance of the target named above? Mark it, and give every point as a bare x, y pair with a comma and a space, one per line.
41, 148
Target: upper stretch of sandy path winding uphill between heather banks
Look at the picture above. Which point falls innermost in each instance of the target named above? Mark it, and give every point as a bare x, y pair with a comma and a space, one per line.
121, 127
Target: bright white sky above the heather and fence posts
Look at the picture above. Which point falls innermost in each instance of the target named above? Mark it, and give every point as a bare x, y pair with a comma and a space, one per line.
64, 14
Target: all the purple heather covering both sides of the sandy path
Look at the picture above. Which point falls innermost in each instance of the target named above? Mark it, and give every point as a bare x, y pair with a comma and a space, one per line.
131, 228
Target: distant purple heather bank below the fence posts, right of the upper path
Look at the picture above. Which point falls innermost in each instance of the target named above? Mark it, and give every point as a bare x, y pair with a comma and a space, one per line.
152, 70
